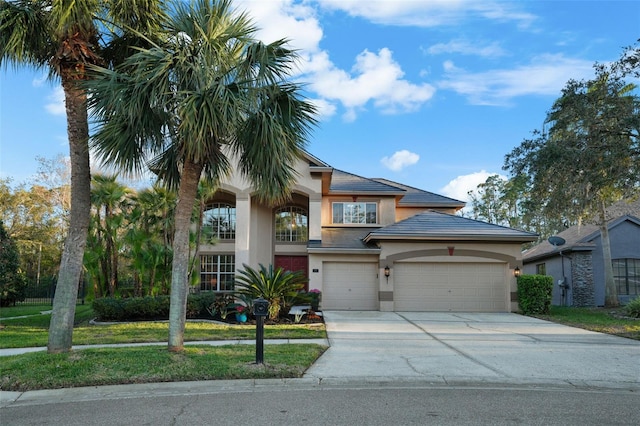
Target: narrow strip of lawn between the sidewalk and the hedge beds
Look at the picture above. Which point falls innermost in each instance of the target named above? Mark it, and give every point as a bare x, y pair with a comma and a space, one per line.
33, 331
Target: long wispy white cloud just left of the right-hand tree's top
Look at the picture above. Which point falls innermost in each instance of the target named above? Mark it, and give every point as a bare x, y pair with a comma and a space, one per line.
545, 75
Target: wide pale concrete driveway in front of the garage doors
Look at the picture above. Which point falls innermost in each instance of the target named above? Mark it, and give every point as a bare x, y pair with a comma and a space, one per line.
466, 348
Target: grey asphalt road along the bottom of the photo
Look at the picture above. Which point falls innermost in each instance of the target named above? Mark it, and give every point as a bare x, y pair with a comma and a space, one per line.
349, 404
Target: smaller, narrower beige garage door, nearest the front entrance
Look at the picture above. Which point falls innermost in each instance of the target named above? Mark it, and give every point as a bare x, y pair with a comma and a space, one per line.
350, 286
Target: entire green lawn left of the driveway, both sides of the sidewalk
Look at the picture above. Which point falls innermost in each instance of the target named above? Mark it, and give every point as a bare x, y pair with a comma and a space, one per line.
95, 367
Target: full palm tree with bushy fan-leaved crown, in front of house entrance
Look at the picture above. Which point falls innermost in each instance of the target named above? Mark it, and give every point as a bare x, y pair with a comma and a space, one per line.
185, 105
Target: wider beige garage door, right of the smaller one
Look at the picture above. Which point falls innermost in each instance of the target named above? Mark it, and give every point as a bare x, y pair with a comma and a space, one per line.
462, 287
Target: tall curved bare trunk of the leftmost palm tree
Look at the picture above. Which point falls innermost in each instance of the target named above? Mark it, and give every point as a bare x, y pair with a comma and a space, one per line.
64, 302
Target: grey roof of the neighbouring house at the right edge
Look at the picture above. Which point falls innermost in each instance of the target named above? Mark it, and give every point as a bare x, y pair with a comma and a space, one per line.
577, 237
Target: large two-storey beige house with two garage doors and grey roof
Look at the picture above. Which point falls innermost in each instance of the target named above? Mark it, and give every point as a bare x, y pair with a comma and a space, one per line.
367, 244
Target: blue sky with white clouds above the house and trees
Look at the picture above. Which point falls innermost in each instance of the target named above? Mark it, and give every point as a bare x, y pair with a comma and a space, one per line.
431, 94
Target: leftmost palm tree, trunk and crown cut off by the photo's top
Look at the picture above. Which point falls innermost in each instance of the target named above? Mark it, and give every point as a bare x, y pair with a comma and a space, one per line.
63, 37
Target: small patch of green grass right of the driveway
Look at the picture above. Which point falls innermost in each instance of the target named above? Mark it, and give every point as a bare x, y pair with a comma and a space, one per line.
603, 320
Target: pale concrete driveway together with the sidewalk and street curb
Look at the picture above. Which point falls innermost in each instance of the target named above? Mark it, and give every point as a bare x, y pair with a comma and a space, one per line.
420, 349
